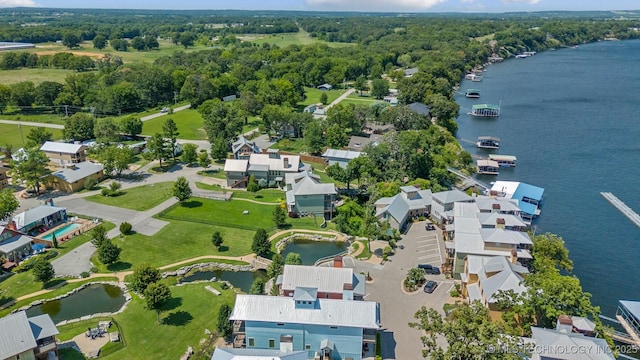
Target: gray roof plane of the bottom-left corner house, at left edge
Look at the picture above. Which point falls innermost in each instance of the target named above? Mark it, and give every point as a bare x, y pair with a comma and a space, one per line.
15, 335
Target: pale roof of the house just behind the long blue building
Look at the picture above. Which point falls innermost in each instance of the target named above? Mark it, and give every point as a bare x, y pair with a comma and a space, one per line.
325, 279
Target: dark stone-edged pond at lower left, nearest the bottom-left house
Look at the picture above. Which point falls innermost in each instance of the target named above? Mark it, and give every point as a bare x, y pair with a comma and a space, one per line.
95, 298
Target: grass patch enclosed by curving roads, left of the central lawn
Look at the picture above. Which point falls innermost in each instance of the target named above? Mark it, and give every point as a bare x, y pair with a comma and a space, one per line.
139, 198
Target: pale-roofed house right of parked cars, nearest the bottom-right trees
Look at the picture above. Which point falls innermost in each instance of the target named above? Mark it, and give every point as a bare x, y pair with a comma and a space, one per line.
485, 276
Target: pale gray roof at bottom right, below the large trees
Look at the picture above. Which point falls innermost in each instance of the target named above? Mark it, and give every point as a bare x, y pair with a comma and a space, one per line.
554, 344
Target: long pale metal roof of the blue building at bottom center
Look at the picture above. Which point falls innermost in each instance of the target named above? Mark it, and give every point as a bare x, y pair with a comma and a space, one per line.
278, 309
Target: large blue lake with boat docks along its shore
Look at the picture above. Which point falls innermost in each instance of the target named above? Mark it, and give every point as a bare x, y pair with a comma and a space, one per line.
571, 118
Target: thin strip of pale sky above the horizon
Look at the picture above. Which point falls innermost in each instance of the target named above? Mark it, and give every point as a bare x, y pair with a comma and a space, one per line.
336, 5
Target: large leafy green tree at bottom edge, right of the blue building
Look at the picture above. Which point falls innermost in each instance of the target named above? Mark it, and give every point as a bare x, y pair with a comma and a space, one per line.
469, 332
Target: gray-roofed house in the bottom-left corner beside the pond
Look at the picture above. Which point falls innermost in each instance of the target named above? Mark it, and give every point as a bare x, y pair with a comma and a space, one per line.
23, 337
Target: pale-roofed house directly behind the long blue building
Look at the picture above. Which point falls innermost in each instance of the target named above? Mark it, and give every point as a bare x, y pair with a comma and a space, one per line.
331, 282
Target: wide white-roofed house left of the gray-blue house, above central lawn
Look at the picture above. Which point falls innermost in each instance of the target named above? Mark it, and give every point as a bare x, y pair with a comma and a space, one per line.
270, 167
